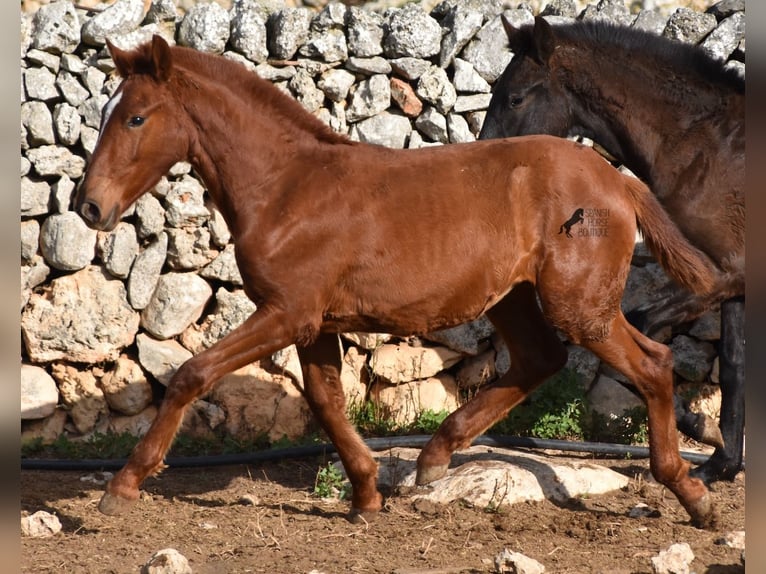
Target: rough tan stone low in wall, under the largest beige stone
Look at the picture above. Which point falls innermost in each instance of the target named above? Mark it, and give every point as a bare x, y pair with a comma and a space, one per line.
81, 395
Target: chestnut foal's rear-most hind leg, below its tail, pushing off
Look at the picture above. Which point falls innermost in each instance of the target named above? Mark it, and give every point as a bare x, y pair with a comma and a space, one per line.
650, 366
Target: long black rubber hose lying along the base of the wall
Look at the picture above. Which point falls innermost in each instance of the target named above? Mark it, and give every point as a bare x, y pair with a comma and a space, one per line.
416, 441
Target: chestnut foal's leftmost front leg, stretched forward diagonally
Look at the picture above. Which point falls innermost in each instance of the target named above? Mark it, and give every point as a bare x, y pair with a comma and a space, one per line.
263, 333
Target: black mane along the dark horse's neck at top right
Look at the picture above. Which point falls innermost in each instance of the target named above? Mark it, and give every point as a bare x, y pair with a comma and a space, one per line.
634, 43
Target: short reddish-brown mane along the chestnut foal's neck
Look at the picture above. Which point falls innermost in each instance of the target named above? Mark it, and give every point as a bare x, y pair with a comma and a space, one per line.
249, 86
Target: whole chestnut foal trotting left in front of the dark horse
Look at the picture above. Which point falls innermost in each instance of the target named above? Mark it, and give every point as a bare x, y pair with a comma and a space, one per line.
333, 235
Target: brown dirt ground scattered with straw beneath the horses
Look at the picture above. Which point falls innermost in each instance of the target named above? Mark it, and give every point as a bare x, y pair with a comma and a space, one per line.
200, 513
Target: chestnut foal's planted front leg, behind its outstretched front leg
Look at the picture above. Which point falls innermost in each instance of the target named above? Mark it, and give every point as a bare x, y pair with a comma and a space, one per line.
321, 362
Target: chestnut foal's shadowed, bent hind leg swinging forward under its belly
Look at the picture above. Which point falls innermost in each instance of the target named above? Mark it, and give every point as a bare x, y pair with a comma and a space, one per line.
536, 353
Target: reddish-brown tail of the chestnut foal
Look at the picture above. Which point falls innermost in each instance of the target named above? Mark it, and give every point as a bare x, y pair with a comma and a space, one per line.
689, 266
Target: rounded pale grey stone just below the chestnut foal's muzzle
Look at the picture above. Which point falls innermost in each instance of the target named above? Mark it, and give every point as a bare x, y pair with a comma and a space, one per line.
66, 242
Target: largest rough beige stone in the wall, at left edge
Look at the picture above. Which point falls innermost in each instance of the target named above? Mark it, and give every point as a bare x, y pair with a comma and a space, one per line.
82, 317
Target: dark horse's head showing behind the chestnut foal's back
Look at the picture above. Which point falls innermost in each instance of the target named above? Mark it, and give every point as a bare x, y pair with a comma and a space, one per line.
527, 98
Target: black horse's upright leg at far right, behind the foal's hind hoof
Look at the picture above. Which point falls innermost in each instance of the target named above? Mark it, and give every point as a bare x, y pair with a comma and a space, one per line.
726, 462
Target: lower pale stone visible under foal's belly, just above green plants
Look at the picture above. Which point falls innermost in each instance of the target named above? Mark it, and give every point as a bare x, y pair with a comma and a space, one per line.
404, 402
